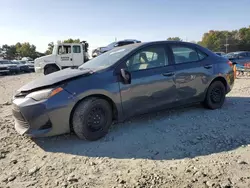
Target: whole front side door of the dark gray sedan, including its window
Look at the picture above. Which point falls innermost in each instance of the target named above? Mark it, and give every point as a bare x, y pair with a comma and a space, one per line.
152, 81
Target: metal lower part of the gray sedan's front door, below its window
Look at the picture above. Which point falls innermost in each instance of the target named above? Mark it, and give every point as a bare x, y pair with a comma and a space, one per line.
149, 89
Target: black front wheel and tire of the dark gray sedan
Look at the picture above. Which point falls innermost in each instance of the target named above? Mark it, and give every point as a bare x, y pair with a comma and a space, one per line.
92, 119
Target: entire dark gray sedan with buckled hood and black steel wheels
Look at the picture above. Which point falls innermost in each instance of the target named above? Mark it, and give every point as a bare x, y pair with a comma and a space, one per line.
126, 81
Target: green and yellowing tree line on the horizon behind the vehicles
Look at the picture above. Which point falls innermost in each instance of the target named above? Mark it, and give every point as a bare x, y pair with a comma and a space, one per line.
225, 41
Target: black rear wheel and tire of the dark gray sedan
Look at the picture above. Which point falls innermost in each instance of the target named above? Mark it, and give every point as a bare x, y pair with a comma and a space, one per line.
215, 96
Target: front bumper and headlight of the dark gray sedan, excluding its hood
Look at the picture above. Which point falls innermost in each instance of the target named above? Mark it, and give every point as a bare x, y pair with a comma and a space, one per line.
36, 112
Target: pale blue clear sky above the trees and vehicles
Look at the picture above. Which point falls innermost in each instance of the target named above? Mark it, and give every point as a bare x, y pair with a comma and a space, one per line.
99, 22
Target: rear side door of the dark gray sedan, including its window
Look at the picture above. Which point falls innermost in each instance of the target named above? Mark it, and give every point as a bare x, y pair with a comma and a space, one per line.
191, 73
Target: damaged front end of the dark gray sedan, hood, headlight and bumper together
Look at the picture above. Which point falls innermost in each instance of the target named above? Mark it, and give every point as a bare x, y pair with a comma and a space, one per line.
43, 106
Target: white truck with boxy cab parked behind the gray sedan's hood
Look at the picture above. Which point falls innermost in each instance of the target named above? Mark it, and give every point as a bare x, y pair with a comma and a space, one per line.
64, 55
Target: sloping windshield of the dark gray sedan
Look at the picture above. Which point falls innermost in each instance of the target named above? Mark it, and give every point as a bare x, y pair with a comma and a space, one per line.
109, 58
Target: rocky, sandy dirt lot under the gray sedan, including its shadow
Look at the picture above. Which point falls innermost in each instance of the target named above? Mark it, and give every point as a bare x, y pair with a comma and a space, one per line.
186, 147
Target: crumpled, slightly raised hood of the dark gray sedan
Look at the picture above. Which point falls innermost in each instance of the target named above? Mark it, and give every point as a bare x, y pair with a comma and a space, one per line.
54, 78
